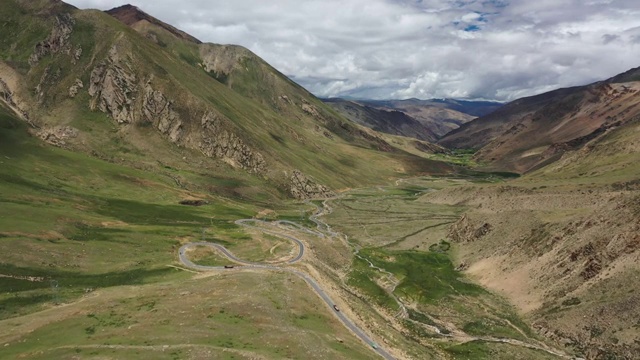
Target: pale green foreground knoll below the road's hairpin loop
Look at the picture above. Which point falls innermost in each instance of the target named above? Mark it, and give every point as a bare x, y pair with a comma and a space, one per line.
276, 317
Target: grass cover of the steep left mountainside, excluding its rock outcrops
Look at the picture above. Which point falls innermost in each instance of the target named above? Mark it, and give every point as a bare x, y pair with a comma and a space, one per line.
284, 133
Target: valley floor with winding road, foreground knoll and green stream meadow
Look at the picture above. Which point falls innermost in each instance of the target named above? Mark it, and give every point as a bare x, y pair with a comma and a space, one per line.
385, 261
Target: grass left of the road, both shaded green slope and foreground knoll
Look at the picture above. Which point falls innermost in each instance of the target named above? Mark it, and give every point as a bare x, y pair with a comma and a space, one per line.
91, 225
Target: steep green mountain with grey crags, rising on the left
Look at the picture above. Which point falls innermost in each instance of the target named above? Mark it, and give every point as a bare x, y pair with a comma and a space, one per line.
126, 87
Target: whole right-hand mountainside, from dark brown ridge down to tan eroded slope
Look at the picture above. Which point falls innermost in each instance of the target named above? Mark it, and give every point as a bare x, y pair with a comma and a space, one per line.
562, 241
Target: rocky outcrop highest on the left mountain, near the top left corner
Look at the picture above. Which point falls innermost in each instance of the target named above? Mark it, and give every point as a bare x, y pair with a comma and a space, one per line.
57, 42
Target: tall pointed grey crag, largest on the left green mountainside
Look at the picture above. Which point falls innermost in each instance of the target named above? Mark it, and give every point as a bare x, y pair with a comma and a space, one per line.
113, 87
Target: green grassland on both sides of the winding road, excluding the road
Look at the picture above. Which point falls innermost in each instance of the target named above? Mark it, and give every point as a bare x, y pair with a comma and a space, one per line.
85, 232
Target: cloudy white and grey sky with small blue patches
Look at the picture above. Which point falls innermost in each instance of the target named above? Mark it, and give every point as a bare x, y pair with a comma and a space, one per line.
466, 49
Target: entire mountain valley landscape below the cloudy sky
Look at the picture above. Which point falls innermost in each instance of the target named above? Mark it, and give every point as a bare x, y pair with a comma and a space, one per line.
167, 198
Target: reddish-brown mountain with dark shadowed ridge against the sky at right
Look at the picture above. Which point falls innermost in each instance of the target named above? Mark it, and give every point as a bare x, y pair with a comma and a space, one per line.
531, 132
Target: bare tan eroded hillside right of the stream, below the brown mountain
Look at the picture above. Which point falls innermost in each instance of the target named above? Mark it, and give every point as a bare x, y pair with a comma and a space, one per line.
566, 258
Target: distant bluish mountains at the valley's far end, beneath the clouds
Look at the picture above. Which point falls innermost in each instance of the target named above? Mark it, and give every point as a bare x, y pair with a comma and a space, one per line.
439, 115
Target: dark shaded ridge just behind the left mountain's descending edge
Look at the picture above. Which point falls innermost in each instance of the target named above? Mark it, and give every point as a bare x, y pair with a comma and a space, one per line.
382, 120
